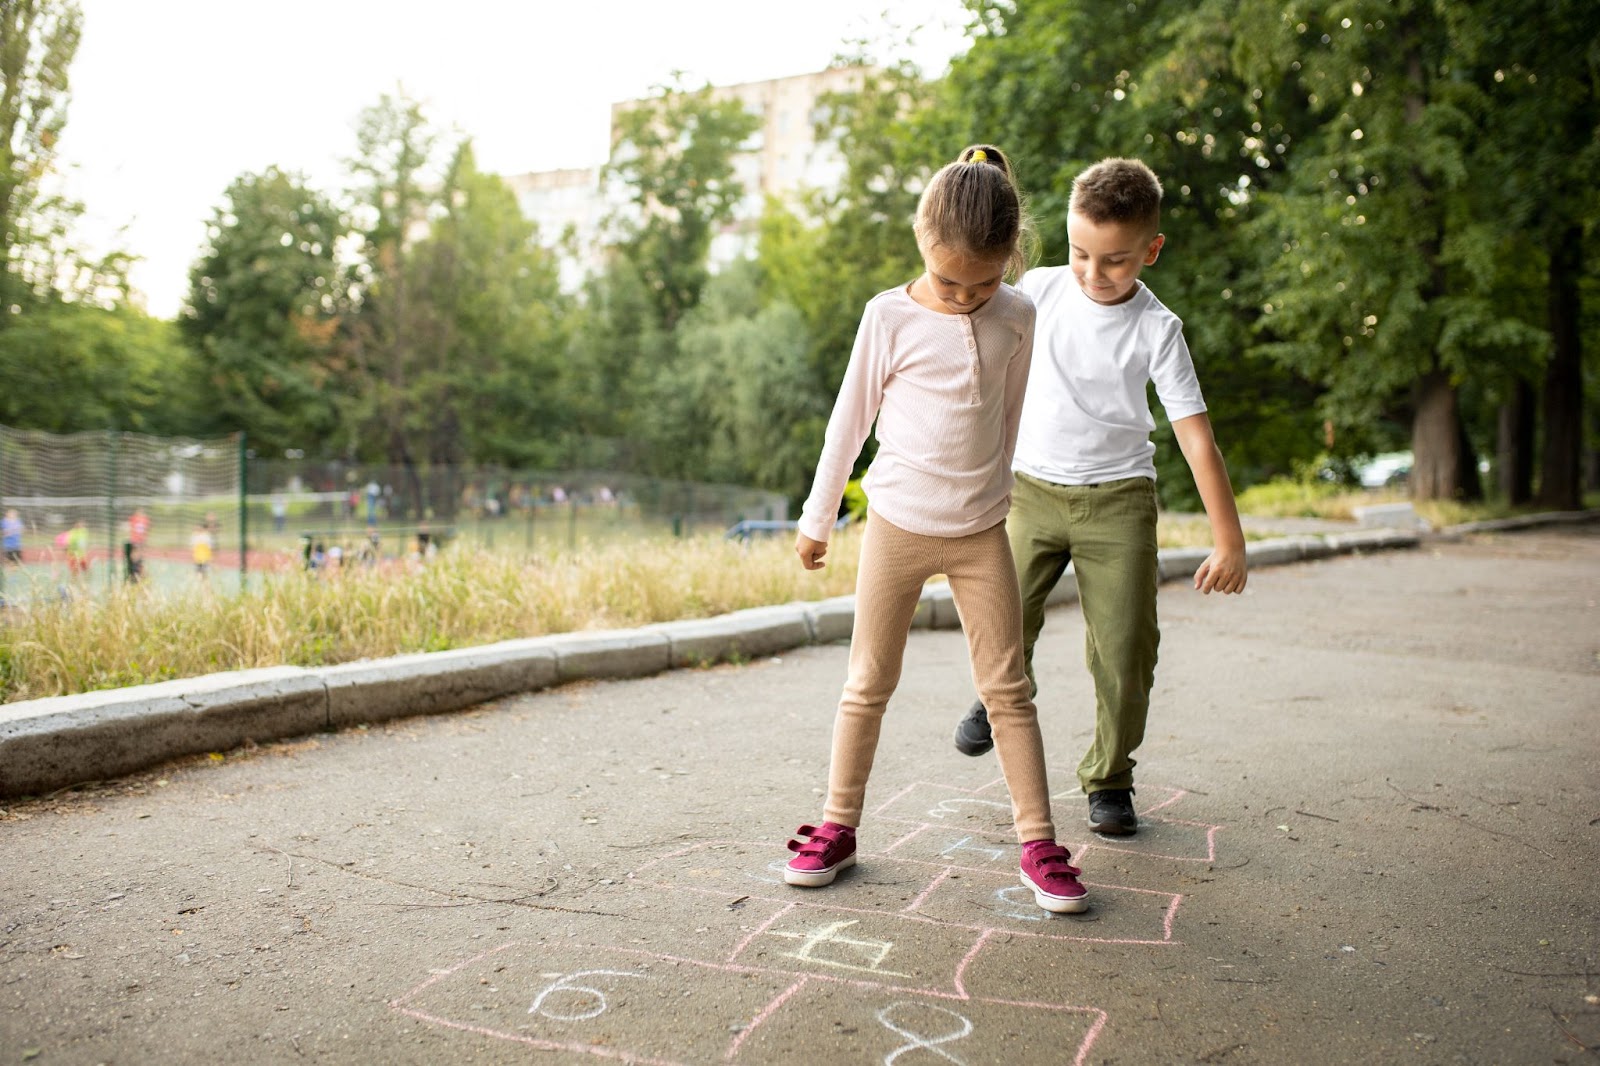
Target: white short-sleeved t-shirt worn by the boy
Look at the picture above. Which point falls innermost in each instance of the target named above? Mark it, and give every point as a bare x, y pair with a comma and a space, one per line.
1087, 417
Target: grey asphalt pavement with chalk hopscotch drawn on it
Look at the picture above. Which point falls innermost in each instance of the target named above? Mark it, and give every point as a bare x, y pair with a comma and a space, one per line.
1372, 827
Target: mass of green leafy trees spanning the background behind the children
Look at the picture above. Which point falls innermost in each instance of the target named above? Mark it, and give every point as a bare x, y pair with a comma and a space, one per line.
1377, 215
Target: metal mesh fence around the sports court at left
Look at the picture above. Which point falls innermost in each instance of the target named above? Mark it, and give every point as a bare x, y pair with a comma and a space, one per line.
164, 497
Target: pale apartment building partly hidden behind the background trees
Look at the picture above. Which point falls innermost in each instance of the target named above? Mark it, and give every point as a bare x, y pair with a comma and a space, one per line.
782, 159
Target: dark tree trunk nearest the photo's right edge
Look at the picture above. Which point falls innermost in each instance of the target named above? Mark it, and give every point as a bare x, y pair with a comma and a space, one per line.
1564, 380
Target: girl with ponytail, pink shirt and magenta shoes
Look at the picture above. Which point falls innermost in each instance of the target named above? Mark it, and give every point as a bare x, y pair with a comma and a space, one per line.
942, 366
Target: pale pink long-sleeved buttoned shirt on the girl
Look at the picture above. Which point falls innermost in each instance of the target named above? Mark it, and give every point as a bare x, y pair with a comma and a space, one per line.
946, 393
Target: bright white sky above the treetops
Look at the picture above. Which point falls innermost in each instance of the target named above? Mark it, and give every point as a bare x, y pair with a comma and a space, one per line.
174, 100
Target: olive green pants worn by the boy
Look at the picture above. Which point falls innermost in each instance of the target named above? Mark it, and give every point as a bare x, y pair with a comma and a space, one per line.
1108, 534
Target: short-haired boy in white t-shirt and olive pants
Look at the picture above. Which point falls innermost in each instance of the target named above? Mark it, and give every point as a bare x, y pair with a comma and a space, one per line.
1086, 479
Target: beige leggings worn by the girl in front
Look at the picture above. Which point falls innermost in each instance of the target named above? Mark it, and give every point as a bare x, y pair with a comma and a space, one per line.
895, 566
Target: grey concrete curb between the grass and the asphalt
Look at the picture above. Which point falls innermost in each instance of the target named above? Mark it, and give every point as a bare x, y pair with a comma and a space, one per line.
70, 740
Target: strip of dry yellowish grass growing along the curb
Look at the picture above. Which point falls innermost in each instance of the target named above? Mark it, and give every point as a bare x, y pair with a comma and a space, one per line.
465, 598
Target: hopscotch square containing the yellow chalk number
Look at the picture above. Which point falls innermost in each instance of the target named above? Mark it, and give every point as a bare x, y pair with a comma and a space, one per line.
862, 947
